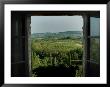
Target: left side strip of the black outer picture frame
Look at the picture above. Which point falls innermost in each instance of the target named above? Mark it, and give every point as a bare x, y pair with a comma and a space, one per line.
1, 44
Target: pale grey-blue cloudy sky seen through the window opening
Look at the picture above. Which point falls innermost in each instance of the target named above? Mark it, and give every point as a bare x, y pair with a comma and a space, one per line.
42, 24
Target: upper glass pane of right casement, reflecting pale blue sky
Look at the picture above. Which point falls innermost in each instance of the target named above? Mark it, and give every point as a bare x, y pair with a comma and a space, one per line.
94, 26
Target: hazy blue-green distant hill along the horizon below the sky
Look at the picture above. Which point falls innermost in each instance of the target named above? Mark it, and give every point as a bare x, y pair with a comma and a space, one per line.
58, 34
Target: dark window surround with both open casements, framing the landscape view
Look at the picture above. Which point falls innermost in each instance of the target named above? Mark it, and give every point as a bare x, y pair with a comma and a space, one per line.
21, 41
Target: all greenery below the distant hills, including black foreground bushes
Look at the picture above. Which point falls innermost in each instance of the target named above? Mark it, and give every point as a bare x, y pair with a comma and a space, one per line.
56, 57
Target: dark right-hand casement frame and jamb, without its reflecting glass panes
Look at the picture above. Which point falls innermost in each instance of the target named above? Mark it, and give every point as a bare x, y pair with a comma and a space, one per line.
90, 67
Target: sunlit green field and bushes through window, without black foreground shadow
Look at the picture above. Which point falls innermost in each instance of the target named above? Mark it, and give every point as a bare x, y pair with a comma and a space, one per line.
55, 52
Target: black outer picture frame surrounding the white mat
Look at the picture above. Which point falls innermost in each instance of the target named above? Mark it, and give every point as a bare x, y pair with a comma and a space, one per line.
2, 2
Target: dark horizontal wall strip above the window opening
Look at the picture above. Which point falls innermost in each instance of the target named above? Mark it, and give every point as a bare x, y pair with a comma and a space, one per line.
57, 13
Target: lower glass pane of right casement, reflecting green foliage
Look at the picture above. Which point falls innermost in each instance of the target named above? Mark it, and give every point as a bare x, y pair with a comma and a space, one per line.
95, 49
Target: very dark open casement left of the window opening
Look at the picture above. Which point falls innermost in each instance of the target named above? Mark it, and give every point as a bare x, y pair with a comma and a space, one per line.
19, 45
